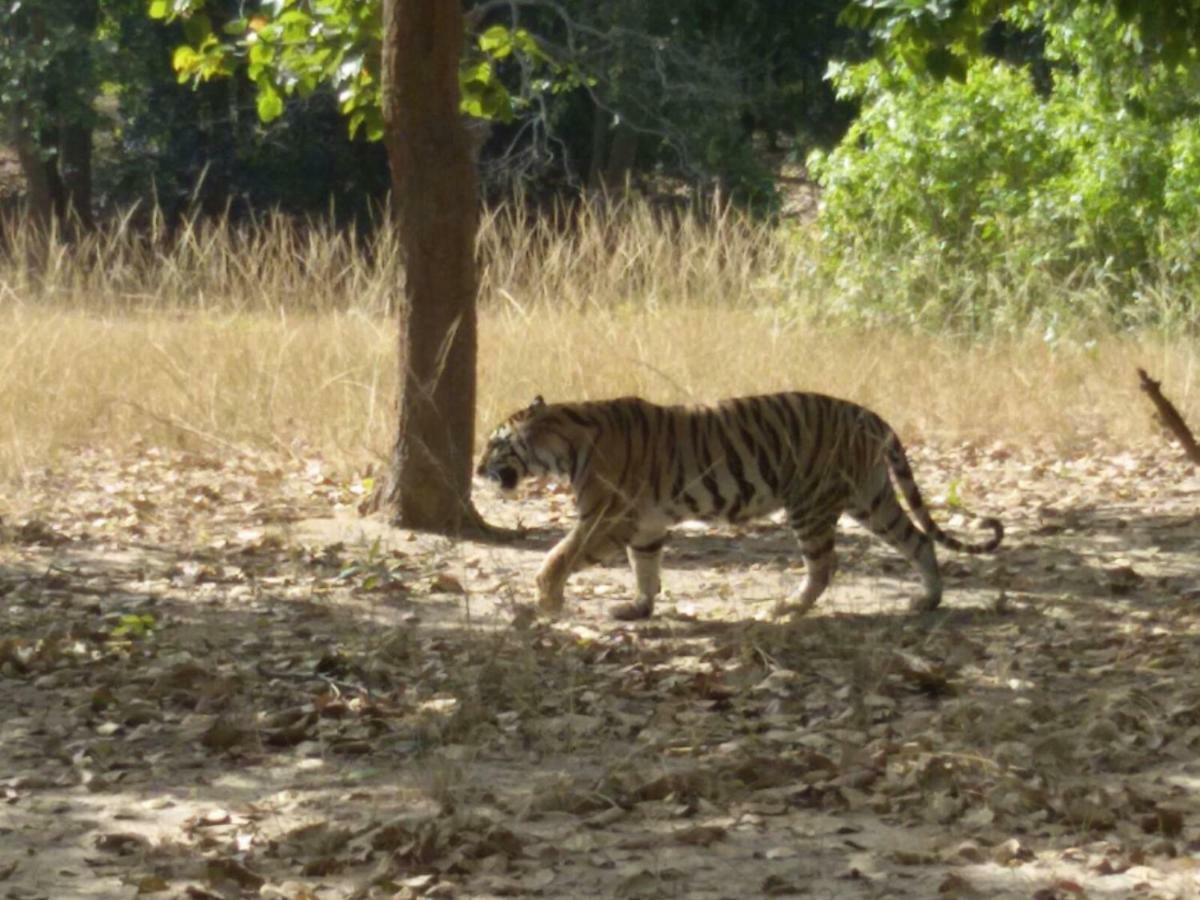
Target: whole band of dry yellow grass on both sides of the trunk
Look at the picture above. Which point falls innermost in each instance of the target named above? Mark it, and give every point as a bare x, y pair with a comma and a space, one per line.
273, 334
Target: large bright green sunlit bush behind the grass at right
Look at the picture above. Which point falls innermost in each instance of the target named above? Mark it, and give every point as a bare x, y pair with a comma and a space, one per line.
993, 175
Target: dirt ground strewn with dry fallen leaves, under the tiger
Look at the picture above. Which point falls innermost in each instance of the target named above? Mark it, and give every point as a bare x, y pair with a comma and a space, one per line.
219, 681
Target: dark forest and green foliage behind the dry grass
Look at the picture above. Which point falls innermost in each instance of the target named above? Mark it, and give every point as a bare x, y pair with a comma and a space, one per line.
1042, 142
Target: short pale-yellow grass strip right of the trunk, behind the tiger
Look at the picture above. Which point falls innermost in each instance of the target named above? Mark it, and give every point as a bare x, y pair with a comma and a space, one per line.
1016, 391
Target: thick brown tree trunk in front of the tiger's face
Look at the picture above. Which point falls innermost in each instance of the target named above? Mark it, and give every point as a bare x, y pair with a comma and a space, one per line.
436, 202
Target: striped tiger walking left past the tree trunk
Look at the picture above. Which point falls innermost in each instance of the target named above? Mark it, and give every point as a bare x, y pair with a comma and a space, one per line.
638, 469
